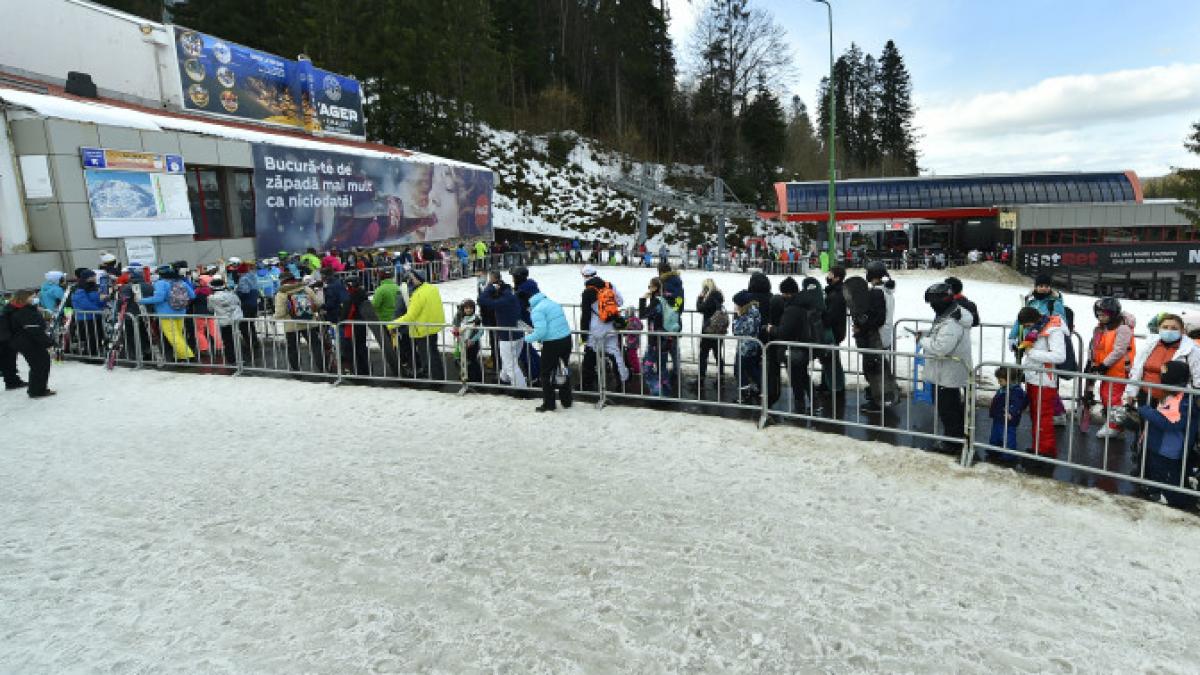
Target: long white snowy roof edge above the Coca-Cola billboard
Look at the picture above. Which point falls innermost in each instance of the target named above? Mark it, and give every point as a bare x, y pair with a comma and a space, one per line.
116, 114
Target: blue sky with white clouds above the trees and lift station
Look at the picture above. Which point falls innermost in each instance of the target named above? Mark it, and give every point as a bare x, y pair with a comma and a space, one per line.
1019, 85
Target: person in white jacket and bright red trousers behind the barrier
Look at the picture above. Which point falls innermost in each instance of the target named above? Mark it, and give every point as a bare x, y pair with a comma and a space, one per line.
1042, 347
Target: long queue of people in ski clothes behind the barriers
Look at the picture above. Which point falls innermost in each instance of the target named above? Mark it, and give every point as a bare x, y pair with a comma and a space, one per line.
793, 332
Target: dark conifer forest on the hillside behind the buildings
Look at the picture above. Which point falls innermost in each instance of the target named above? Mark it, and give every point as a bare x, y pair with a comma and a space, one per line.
434, 71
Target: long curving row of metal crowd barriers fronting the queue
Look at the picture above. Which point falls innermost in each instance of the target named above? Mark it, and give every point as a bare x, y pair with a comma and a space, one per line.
779, 384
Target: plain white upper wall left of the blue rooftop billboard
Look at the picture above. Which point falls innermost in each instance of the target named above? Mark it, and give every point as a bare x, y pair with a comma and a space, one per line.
127, 57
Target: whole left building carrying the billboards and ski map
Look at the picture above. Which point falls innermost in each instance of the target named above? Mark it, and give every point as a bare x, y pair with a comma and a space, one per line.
159, 144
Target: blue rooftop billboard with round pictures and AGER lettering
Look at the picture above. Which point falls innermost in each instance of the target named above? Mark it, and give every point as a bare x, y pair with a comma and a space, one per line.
225, 79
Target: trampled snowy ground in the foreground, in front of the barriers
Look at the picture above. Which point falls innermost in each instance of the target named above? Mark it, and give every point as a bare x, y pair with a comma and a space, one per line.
218, 524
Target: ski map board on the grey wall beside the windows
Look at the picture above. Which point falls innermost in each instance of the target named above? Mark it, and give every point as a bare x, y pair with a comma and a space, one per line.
136, 194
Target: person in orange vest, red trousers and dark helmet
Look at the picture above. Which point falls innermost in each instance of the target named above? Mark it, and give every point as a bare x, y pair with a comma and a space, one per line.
1113, 351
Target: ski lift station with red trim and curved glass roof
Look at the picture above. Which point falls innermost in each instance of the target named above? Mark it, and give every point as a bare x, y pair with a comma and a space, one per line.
1093, 232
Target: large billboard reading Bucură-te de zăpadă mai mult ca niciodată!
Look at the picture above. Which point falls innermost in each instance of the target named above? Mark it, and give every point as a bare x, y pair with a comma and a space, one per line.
339, 201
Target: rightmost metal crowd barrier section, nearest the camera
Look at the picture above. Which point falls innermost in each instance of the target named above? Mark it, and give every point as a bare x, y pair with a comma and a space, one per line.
1113, 459
